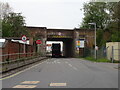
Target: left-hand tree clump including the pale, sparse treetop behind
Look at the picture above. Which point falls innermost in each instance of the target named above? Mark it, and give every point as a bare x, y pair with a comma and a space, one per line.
13, 24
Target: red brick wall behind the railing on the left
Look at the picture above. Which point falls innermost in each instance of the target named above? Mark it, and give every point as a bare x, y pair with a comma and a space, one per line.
15, 47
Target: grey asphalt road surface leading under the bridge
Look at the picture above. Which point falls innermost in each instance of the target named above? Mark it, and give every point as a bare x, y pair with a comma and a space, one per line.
64, 73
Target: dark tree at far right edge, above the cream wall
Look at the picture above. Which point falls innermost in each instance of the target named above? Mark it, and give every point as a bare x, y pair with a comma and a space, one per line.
114, 25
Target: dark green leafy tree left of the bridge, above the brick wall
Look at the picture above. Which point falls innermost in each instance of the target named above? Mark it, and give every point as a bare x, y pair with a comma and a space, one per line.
13, 25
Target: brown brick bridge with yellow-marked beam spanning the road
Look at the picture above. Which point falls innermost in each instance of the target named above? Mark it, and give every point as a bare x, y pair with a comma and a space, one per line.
67, 36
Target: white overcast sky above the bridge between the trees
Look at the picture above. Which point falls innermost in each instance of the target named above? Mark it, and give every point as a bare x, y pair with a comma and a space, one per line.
50, 13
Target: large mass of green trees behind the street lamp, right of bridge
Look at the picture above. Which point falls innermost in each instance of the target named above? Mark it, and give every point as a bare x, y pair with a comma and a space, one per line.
107, 17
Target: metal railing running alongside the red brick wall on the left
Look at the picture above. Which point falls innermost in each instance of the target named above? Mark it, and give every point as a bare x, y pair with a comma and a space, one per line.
18, 60
